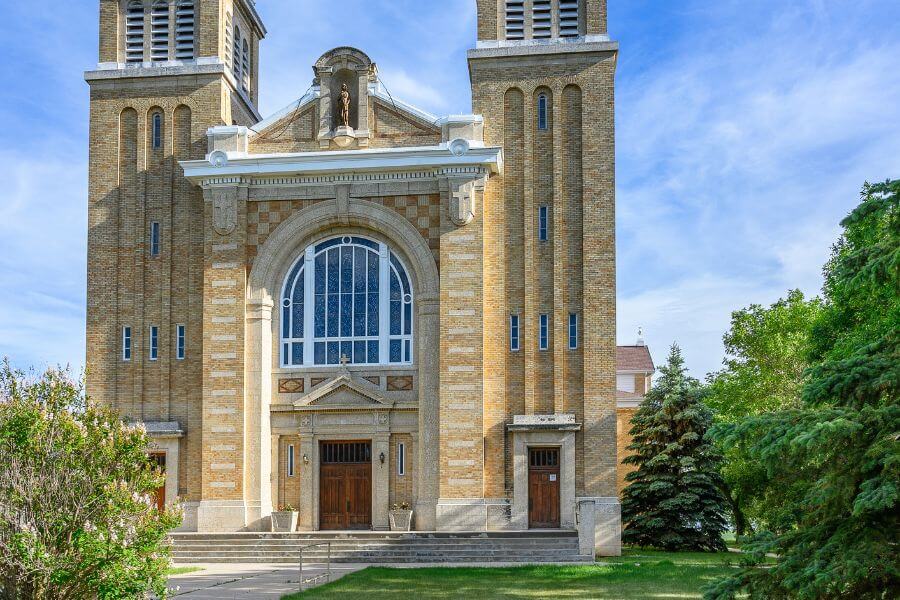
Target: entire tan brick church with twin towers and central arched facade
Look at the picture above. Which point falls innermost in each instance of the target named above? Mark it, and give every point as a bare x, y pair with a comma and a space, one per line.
353, 304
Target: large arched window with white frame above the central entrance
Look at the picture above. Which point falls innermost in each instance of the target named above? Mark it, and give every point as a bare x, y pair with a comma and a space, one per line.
347, 300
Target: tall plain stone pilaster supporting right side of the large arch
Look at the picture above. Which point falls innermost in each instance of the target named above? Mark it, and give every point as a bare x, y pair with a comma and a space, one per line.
428, 449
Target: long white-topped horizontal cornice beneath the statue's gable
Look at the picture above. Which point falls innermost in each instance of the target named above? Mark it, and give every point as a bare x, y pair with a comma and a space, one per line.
307, 168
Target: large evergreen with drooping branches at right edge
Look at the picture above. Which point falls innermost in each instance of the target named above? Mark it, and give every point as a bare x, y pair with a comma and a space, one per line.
842, 444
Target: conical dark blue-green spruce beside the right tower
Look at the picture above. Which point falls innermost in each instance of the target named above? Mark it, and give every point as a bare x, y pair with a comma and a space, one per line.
674, 499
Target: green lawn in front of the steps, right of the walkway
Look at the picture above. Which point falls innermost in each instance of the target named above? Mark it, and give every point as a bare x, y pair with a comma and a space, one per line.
644, 574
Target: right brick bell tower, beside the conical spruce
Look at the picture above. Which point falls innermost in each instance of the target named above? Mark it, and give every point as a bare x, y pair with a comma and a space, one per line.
543, 77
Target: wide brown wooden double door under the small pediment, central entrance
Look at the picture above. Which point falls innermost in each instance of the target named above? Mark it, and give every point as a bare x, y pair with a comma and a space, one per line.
345, 480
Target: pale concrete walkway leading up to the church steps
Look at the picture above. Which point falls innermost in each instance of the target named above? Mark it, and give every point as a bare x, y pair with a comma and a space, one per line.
232, 581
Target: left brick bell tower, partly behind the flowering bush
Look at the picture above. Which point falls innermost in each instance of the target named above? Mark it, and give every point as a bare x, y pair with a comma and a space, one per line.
168, 70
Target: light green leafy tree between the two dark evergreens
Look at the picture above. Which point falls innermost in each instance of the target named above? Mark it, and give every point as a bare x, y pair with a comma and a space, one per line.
767, 352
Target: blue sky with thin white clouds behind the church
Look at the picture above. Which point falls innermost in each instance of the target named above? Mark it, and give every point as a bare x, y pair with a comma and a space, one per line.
745, 131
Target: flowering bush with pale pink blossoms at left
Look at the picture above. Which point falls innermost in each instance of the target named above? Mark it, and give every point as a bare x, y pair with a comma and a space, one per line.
76, 516
